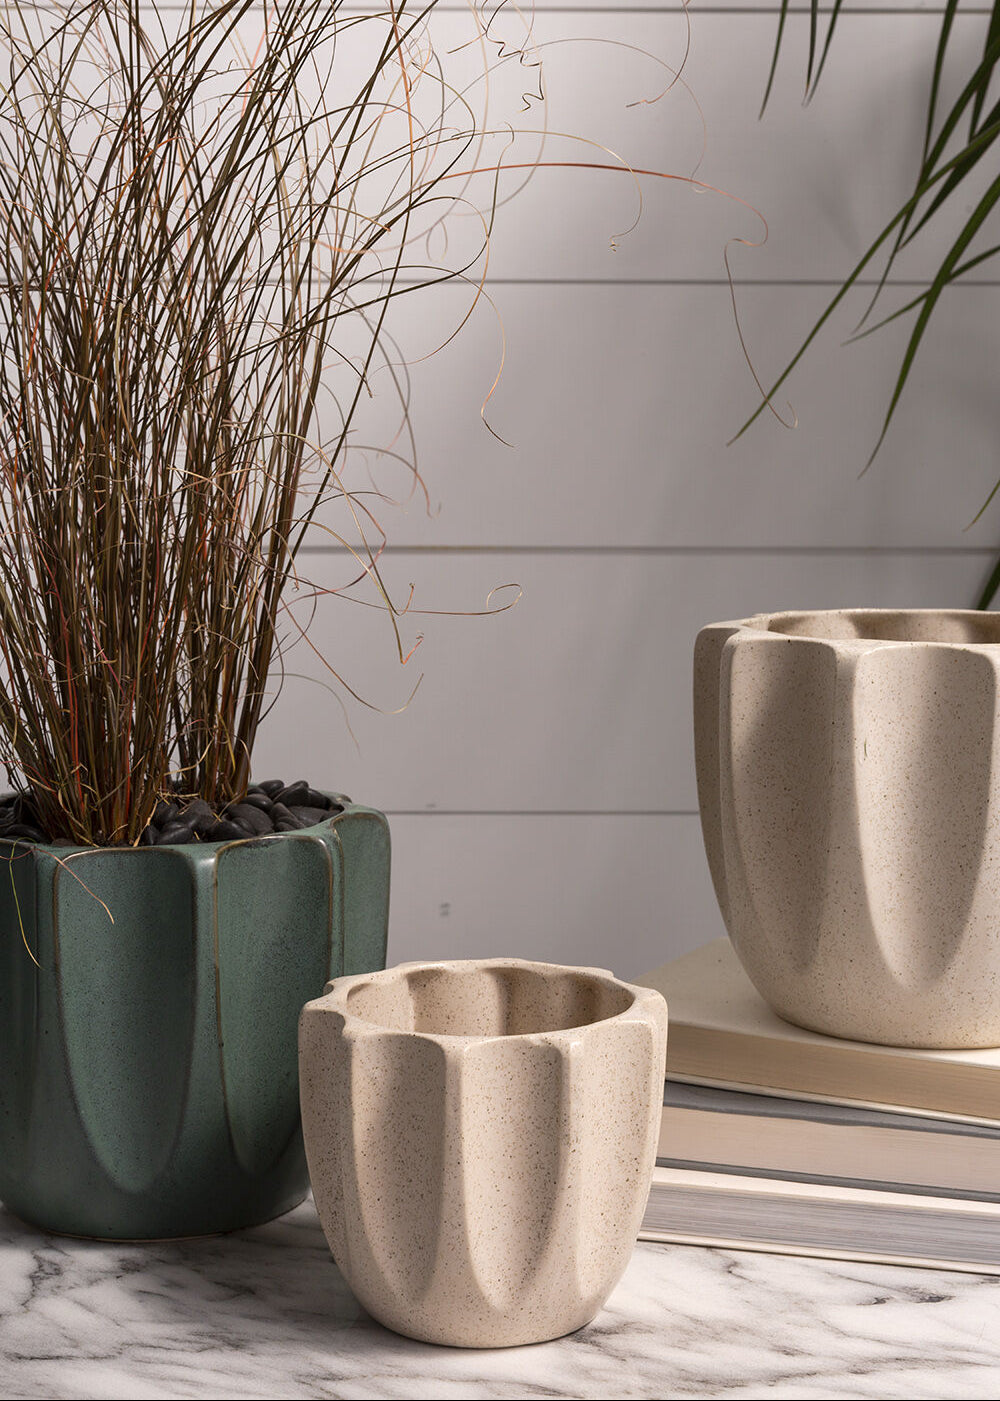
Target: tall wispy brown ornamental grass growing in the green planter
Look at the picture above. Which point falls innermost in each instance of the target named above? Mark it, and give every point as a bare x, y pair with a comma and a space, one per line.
202, 209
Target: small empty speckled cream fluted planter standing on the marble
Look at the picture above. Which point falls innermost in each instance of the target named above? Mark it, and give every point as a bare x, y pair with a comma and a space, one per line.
481, 1138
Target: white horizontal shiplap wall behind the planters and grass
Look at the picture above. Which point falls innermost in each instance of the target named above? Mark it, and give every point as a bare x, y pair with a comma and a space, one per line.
541, 784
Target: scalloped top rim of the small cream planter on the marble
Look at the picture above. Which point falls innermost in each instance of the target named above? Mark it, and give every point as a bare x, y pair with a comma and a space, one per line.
337, 998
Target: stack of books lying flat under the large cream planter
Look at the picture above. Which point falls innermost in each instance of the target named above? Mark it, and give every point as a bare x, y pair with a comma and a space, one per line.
782, 1140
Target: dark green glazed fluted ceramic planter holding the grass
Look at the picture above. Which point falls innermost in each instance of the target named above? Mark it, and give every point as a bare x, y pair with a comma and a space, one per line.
149, 1067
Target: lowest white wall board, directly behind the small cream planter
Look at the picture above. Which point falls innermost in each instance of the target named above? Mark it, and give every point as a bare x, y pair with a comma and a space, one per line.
617, 893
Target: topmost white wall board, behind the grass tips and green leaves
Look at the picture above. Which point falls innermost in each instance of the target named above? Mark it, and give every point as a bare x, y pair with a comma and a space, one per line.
824, 177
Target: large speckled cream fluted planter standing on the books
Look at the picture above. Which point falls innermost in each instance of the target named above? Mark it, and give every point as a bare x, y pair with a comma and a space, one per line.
849, 785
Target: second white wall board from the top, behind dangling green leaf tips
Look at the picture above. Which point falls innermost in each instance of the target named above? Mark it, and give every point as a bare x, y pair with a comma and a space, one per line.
618, 403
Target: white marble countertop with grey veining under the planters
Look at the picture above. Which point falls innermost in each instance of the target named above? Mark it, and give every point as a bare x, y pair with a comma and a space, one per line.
265, 1313
